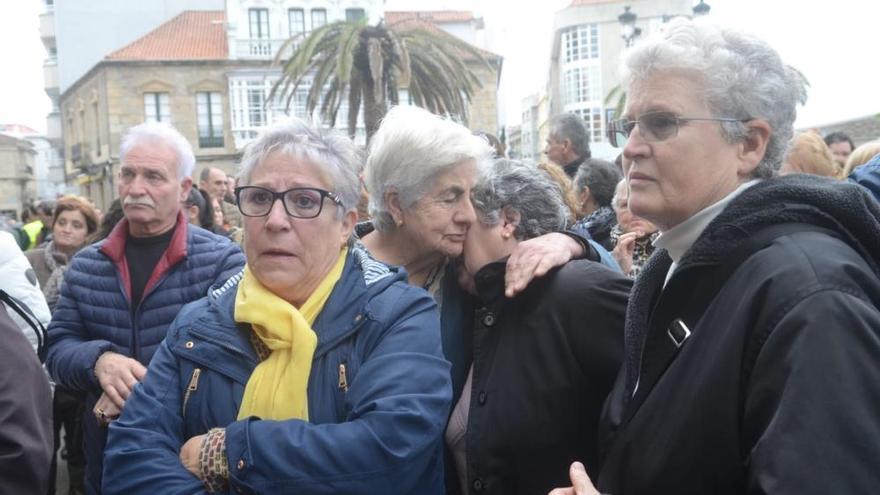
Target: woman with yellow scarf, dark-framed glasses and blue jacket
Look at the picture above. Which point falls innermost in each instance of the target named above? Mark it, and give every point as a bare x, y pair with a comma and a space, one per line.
316, 370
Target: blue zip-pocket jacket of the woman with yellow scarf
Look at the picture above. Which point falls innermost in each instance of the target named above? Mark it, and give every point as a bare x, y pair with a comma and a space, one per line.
379, 394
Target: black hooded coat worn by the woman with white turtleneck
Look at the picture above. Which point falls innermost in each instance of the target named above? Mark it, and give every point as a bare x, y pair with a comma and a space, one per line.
777, 390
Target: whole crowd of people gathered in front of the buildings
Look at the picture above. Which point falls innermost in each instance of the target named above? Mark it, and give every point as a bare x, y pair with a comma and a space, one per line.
427, 316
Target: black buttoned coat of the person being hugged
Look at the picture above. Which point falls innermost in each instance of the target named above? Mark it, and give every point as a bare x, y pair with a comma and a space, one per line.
543, 364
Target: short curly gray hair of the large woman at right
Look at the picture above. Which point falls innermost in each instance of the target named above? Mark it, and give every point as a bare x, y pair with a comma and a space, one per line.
742, 78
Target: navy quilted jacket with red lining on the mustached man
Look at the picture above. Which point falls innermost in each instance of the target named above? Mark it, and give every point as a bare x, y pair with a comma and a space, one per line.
94, 315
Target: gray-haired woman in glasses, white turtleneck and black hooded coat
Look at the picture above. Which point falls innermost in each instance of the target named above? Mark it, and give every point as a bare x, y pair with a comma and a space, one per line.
753, 332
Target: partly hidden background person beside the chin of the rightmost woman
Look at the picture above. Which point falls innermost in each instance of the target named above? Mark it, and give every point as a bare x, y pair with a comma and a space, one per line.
633, 236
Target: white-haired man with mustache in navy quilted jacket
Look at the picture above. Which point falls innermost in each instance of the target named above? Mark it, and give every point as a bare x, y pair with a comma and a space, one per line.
121, 294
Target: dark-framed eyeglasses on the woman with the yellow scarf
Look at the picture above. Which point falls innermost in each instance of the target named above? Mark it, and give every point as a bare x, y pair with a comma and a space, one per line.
299, 202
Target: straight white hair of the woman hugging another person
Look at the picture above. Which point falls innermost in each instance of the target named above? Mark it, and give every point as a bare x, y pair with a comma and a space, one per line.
411, 147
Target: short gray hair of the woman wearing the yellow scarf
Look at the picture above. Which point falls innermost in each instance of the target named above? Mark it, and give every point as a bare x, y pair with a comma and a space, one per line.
328, 149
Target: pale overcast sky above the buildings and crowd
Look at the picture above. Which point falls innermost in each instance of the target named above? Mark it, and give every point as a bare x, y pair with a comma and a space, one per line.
835, 47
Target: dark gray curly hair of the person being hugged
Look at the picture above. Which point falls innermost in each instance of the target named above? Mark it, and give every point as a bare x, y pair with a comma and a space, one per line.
526, 189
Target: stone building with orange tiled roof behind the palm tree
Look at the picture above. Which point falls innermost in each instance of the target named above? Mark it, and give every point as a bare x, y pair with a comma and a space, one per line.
209, 74
